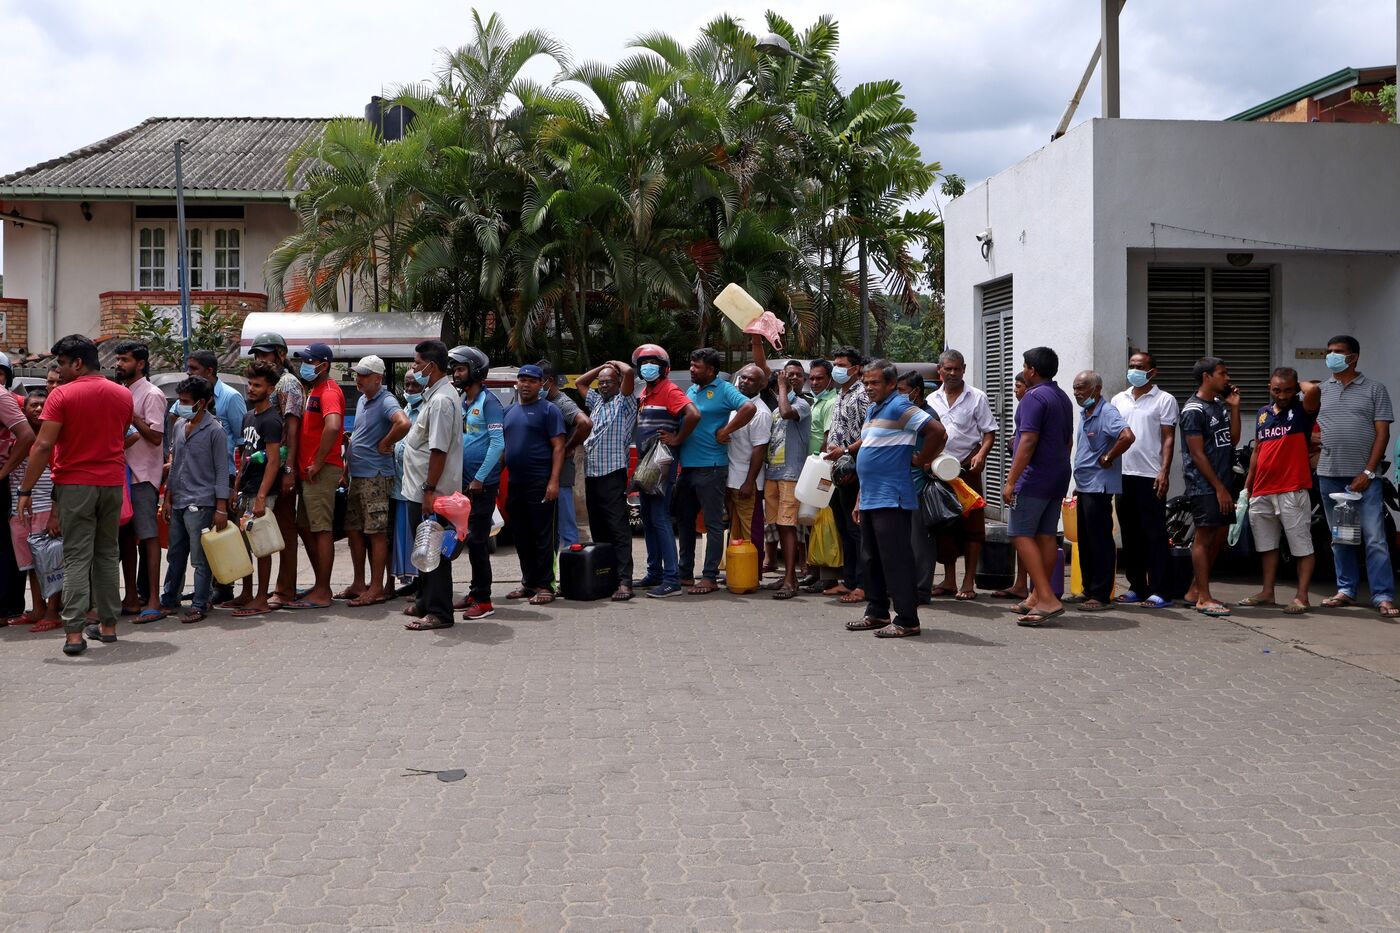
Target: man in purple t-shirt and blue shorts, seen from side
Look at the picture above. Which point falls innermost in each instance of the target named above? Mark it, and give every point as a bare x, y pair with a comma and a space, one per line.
1038, 480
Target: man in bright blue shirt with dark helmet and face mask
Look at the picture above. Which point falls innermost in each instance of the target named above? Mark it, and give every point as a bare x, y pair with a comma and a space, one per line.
484, 443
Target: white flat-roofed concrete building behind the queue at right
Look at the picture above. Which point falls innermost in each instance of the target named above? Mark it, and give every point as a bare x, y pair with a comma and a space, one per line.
1248, 242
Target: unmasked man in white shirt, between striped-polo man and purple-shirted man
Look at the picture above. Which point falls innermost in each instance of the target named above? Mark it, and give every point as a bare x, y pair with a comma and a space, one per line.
972, 431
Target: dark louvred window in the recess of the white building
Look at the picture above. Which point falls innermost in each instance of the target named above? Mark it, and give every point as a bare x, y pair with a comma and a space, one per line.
1195, 312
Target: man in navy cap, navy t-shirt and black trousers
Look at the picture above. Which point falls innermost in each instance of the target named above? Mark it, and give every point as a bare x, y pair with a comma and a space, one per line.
535, 460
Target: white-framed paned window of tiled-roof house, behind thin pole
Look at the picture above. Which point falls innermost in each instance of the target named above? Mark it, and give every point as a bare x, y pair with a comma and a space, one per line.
216, 256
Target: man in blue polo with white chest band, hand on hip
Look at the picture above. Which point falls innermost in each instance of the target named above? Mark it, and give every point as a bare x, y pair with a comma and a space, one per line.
895, 436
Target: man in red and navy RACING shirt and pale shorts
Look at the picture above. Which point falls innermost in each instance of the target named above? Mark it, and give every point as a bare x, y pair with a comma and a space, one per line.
1280, 483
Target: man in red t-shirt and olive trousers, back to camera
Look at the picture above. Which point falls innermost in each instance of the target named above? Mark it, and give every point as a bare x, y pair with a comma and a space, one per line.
85, 429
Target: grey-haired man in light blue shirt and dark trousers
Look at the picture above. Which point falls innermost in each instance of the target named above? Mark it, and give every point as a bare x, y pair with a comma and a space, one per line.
1100, 443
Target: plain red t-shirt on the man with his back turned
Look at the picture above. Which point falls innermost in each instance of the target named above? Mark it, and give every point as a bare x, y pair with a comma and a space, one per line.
93, 414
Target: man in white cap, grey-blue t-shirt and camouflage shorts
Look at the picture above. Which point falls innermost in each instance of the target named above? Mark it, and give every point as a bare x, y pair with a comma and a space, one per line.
379, 424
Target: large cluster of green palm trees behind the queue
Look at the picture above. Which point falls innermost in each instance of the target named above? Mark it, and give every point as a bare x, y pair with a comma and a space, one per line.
614, 204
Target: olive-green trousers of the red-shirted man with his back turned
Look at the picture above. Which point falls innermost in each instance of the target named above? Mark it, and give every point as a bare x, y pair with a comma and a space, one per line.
90, 520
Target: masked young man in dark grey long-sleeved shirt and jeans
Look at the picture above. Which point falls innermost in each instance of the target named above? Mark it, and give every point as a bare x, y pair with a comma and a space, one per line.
197, 495
